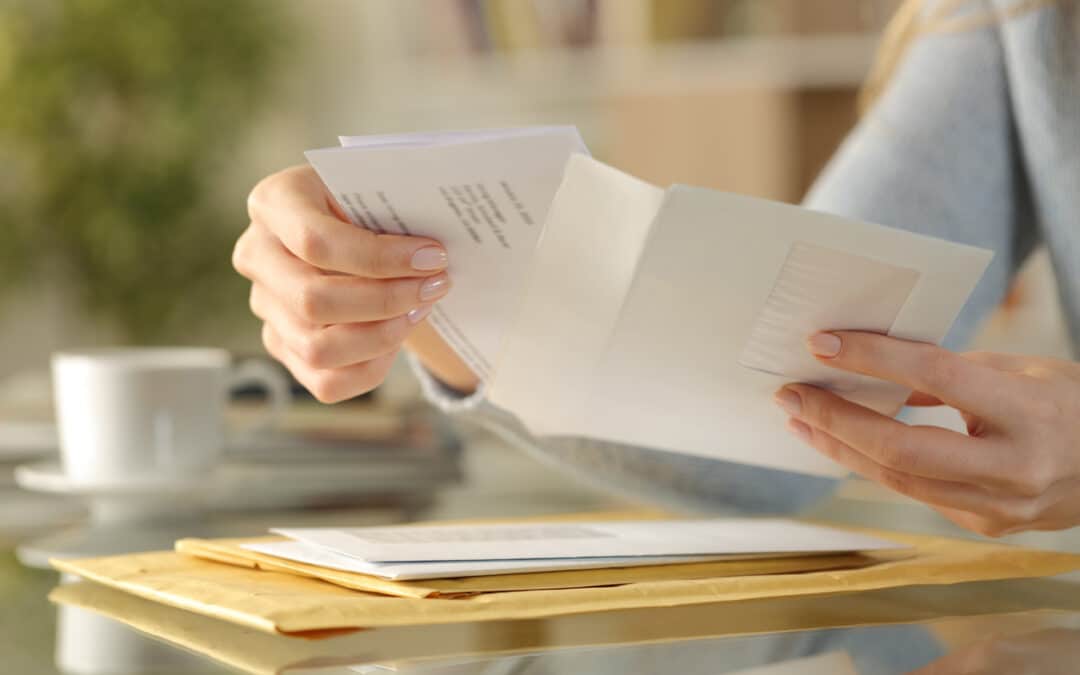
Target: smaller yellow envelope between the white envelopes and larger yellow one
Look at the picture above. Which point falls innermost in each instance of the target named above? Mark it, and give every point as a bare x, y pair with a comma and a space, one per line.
229, 551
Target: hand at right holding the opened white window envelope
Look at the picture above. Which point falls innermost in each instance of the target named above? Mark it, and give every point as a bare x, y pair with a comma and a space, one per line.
1019, 467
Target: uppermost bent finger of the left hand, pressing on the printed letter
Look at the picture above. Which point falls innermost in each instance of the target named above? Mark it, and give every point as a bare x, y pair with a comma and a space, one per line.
298, 209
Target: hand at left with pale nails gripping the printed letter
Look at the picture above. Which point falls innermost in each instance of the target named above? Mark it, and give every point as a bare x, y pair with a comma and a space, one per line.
337, 301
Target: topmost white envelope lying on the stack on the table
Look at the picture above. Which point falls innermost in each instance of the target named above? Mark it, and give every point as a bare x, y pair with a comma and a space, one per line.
586, 541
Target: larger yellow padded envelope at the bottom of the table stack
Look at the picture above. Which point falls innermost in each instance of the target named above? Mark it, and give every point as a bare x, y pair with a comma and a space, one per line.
286, 603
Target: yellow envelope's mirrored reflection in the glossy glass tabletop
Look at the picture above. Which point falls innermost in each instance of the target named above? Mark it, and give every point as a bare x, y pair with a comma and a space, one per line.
262, 654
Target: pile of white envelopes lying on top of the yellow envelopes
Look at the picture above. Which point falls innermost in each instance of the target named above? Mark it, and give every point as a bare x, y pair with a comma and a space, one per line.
452, 551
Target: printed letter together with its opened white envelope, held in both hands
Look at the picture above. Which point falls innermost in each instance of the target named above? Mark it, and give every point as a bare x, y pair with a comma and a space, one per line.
595, 305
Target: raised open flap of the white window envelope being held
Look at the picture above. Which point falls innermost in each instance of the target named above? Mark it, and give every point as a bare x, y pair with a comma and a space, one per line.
582, 272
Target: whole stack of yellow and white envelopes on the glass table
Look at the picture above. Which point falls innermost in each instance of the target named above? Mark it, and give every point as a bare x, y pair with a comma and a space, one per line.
310, 580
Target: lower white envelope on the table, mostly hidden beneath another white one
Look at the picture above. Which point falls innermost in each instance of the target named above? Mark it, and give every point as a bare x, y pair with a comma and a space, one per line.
404, 572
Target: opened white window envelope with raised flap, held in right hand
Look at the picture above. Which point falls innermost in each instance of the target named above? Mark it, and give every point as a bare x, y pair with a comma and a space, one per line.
726, 289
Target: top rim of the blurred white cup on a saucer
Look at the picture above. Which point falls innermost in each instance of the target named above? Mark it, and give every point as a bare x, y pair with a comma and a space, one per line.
145, 358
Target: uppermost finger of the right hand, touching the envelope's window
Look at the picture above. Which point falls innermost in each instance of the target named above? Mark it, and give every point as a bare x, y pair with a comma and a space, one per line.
924, 368
